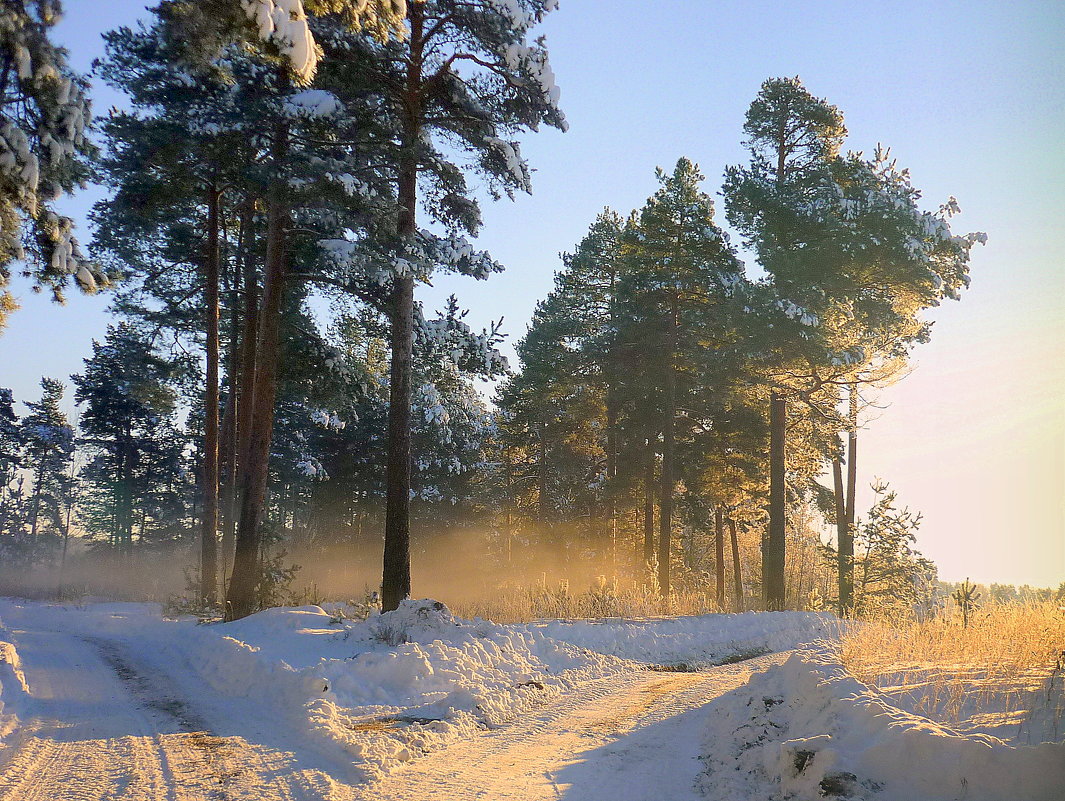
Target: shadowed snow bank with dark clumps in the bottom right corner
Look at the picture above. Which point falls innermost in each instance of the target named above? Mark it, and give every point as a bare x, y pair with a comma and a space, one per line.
809, 730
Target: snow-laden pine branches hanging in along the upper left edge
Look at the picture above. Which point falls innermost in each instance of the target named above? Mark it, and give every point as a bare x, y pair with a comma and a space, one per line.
44, 153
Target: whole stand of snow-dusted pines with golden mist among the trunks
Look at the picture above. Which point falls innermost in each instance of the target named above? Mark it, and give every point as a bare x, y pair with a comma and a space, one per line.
273, 416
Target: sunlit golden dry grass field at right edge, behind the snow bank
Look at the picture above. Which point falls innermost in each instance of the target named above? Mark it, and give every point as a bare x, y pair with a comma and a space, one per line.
1003, 675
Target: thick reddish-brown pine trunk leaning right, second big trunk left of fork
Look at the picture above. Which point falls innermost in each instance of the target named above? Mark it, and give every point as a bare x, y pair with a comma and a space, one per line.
255, 468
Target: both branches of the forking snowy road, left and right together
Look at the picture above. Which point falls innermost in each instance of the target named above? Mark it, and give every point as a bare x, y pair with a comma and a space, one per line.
116, 716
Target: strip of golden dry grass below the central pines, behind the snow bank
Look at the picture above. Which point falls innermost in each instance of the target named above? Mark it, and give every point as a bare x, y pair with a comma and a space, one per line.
605, 599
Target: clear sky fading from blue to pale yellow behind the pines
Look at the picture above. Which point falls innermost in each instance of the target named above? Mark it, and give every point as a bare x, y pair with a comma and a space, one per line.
969, 95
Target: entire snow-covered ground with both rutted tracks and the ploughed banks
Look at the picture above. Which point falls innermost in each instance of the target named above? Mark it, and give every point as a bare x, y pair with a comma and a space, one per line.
113, 700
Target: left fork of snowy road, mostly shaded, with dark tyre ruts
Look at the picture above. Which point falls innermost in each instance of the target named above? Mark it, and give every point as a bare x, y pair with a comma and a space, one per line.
106, 725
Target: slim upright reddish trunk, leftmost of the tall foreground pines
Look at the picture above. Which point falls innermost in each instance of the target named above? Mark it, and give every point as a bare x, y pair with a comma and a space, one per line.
209, 521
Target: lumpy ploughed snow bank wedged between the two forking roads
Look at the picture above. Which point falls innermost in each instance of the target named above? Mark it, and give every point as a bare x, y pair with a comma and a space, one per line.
394, 686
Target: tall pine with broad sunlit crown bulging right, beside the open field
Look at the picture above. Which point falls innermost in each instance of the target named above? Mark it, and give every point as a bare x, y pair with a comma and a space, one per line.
851, 263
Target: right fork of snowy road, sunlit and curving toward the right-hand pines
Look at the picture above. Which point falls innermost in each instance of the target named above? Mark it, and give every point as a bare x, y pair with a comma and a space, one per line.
634, 738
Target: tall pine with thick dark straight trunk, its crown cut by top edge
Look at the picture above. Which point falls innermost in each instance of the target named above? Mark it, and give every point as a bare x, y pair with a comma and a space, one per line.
464, 74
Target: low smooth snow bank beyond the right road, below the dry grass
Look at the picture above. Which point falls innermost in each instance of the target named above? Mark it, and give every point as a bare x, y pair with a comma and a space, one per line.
694, 642
